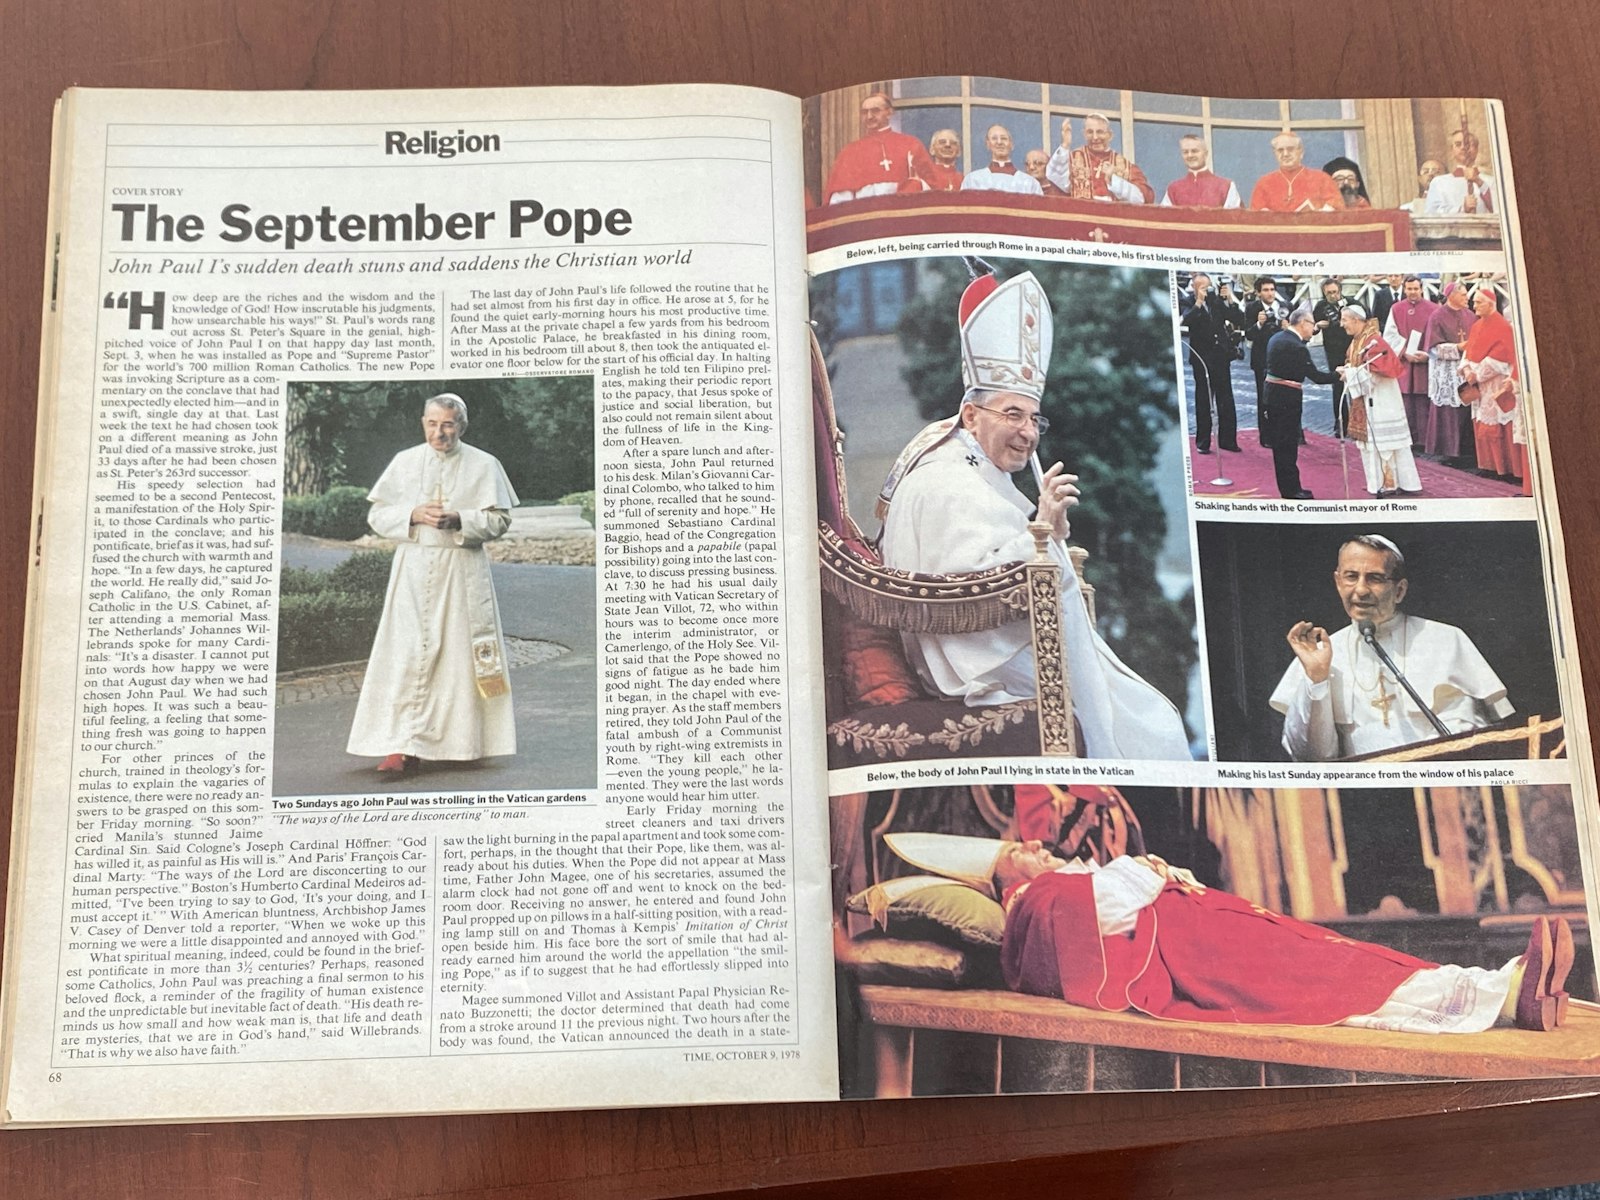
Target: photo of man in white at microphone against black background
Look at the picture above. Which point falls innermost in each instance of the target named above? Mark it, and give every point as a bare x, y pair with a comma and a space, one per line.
1378, 642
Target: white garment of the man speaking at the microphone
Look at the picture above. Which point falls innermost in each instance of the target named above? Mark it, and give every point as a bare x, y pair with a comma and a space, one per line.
1345, 714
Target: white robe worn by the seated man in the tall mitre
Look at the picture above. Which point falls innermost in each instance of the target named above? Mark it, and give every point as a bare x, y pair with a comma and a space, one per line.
956, 513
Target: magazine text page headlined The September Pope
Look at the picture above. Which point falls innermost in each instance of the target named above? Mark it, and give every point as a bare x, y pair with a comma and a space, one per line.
420, 706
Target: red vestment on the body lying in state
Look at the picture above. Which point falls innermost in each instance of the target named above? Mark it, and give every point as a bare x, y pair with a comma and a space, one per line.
1194, 956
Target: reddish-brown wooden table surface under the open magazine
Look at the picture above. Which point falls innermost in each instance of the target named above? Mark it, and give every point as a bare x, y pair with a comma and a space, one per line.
1404, 1142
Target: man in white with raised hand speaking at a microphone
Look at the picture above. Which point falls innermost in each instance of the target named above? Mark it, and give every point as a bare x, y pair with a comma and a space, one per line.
1338, 698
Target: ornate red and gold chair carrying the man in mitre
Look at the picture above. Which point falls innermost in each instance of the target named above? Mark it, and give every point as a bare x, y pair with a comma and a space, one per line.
878, 710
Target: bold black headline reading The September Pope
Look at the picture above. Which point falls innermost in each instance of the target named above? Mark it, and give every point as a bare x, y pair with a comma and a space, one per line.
148, 223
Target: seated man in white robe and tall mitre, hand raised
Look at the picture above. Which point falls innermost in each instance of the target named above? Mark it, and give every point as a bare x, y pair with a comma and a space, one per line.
950, 506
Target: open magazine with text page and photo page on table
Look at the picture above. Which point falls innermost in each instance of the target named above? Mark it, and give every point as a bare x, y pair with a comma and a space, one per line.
617, 598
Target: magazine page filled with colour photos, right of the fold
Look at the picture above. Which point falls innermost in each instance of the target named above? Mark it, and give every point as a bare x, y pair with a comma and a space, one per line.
1202, 708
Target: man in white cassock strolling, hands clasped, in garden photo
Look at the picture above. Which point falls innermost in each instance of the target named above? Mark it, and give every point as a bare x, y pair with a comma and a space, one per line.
438, 686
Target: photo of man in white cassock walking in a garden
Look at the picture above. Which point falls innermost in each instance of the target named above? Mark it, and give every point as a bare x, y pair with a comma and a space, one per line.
436, 626
